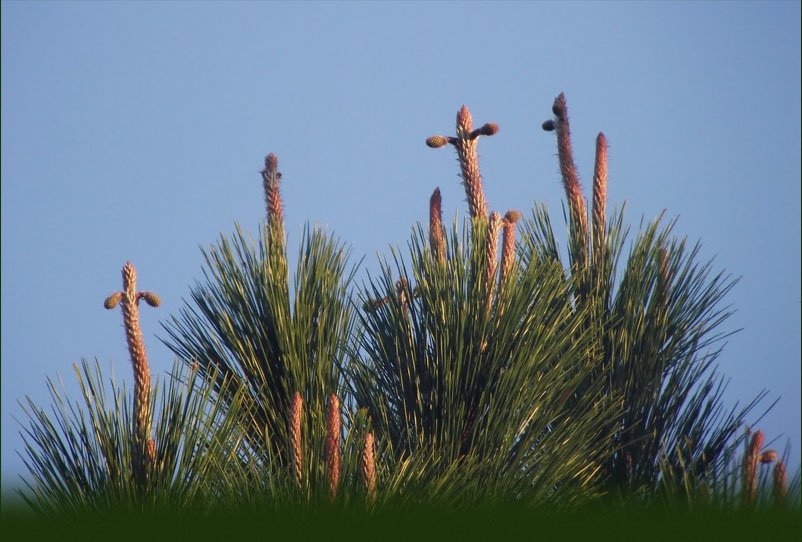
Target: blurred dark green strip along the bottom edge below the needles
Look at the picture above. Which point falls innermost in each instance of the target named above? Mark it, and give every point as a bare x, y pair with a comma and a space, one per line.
487, 523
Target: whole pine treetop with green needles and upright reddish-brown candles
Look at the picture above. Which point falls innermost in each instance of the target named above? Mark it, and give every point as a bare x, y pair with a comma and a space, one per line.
542, 381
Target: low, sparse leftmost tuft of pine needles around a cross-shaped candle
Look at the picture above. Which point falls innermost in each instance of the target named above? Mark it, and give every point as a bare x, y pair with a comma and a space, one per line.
80, 453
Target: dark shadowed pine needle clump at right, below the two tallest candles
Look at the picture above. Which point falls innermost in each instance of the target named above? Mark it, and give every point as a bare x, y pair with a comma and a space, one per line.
657, 319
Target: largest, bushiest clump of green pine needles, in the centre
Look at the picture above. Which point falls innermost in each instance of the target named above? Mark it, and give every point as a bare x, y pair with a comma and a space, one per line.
481, 380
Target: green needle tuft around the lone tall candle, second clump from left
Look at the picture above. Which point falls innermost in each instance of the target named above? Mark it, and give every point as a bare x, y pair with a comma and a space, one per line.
246, 323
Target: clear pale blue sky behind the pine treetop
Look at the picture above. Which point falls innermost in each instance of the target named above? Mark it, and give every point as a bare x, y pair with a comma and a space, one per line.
136, 131
